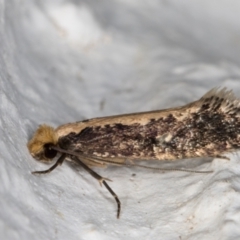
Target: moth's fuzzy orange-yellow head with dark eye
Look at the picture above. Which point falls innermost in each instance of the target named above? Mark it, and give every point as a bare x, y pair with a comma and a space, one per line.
40, 145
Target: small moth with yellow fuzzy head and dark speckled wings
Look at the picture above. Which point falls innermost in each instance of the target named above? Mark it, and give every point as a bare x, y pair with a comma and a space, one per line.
209, 127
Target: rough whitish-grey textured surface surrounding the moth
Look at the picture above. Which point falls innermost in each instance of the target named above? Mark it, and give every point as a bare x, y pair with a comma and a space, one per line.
63, 61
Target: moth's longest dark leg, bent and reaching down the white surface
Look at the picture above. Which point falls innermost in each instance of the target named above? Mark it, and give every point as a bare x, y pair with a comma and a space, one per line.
101, 180
